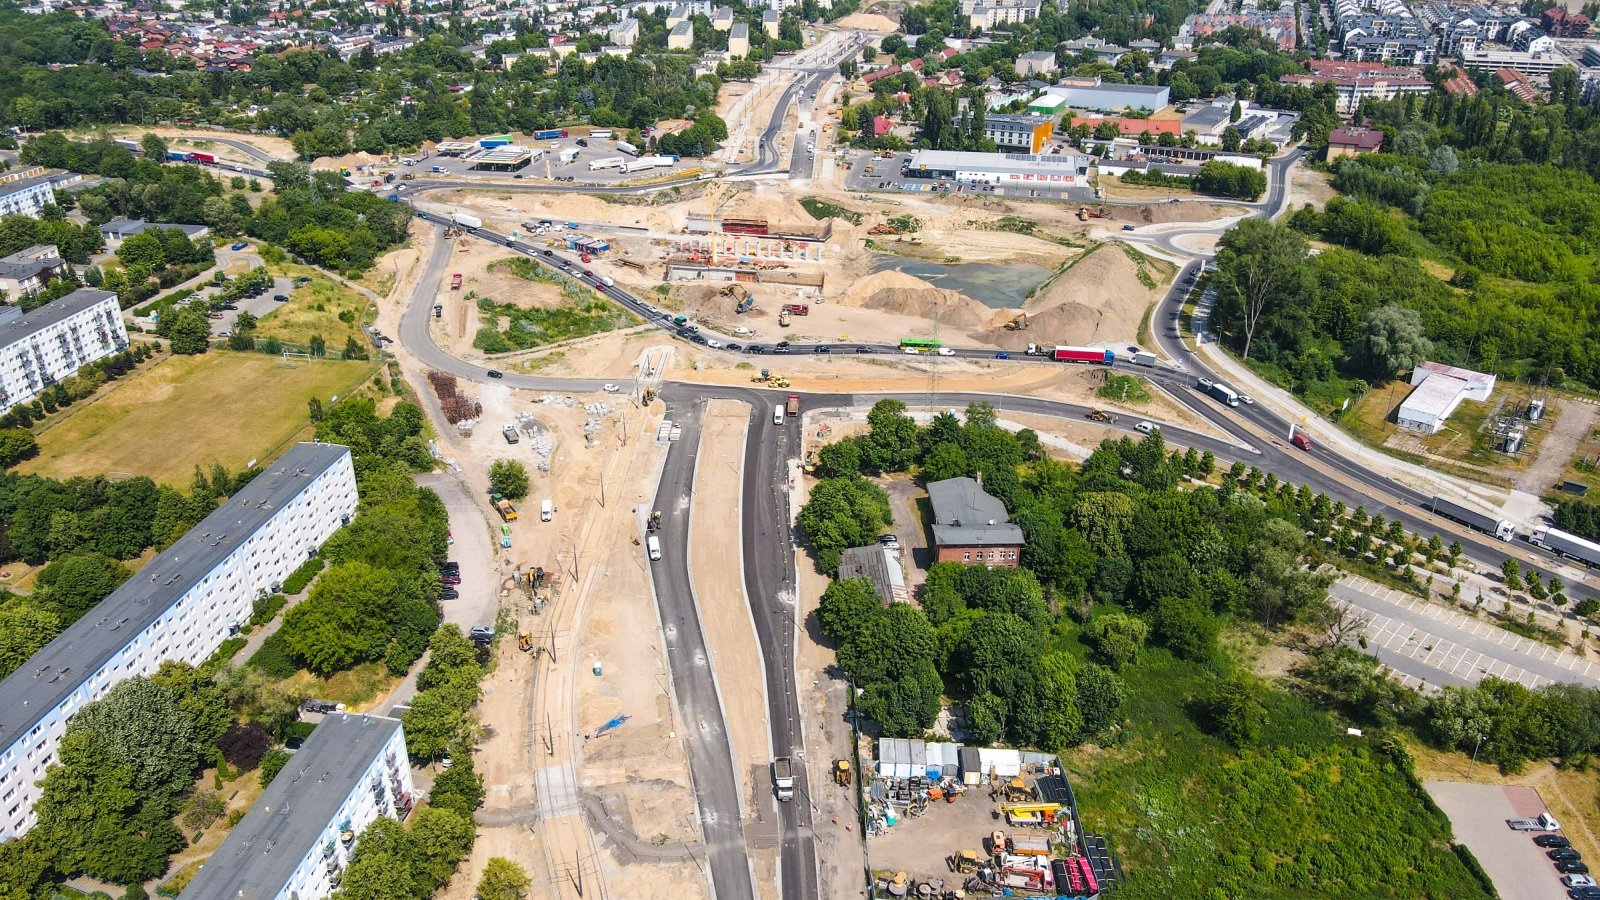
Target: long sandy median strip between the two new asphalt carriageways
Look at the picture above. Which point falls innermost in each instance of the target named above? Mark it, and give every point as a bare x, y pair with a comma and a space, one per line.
719, 592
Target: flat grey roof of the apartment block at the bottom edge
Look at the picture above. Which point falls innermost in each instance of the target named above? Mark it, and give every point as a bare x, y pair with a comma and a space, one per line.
282, 829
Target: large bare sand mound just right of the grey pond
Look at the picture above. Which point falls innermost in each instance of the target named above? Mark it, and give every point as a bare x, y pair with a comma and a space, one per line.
1100, 300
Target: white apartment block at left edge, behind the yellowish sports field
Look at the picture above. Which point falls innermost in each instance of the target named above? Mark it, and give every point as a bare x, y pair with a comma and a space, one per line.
44, 347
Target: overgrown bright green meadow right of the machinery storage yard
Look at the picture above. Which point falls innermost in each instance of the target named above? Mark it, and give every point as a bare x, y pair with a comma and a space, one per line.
1303, 813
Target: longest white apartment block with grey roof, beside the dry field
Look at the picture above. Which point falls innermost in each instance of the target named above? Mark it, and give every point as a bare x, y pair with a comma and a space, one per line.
178, 608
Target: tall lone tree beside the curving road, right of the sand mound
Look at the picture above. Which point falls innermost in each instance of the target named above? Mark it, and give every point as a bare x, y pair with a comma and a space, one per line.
1260, 265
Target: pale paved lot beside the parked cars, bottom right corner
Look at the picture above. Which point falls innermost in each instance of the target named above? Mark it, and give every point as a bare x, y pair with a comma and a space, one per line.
1513, 861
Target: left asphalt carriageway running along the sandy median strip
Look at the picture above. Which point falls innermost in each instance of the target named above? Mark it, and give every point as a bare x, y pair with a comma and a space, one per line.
694, 681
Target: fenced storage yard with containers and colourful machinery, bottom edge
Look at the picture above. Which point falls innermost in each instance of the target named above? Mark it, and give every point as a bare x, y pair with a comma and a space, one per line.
946, 821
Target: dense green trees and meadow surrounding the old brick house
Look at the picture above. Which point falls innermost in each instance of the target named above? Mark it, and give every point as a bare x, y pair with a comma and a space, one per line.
1126, 643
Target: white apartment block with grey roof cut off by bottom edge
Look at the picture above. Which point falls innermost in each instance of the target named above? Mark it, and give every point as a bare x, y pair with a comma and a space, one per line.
300, 835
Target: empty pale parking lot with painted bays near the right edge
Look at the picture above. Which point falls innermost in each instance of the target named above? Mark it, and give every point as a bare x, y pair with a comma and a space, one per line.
1436, 646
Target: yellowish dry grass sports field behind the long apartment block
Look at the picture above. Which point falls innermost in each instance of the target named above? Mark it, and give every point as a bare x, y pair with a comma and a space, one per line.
220, 408
